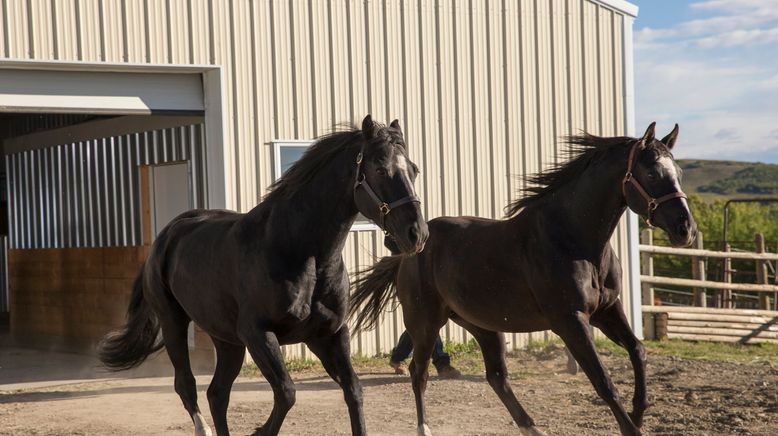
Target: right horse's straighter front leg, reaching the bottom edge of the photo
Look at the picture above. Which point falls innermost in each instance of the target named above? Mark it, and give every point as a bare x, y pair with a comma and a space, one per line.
574, 331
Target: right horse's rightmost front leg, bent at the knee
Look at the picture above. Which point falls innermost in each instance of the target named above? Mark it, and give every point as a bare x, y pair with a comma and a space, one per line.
614, 324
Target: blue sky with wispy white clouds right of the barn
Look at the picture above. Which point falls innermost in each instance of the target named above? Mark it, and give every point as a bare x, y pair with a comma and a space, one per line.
712, 67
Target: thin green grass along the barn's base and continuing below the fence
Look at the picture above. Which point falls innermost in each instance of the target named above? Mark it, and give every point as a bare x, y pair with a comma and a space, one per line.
468, 359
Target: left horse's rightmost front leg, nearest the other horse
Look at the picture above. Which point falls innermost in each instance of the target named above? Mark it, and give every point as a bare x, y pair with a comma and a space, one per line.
334, 353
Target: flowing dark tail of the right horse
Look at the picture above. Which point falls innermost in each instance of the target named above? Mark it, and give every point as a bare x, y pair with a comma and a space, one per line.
373, 290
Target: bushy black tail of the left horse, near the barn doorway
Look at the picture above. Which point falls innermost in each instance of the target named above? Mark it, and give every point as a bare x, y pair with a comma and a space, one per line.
130, 346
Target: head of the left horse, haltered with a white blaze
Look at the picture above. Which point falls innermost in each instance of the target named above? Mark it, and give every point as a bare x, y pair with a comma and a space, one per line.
384, 190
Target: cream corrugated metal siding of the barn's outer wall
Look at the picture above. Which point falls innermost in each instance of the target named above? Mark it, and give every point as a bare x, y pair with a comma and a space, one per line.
484, 89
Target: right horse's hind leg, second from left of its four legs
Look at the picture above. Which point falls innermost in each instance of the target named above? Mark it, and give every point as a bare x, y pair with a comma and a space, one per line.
493, 349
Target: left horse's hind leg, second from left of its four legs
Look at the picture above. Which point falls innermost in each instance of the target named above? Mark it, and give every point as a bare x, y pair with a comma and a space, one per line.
229, 360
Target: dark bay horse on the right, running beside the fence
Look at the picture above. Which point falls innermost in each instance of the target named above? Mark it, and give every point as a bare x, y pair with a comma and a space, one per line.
549, 266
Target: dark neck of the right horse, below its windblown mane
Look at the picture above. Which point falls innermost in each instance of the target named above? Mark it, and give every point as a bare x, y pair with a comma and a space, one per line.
592, 206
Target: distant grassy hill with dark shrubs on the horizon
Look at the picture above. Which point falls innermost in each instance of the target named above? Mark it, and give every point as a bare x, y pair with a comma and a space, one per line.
713, 179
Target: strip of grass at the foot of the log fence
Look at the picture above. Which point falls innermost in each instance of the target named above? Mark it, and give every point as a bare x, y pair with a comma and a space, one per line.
715, 351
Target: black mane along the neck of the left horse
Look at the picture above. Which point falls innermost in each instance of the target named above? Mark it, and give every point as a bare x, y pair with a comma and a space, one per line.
318, 155
